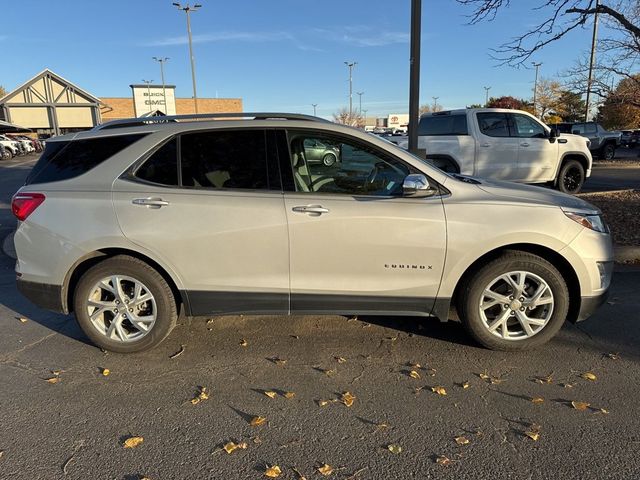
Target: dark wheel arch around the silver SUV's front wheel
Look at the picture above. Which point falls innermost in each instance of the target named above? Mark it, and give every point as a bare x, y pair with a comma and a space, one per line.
561, 263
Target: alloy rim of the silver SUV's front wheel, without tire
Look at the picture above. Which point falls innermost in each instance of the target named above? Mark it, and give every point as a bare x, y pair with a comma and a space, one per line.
516, 305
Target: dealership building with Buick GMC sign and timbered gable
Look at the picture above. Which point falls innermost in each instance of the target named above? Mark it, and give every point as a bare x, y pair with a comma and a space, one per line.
50, 105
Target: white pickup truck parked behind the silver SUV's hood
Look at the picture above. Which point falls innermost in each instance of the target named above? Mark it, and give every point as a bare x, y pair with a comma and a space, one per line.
504, 145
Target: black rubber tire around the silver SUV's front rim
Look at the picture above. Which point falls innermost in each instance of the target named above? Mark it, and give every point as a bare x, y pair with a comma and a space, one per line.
472, 292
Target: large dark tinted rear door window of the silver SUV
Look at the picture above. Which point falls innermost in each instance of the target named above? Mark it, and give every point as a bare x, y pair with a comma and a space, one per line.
224, 159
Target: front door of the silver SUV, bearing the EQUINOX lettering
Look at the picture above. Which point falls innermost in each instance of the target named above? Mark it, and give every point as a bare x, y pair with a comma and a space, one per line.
356, 244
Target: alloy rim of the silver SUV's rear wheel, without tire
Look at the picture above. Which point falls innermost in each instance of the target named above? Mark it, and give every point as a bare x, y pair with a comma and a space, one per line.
121, 308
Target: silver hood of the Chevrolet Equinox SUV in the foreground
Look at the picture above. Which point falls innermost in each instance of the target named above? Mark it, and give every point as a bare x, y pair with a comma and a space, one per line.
520, 193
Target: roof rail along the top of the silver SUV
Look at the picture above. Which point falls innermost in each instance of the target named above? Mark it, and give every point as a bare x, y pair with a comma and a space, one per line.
134, 122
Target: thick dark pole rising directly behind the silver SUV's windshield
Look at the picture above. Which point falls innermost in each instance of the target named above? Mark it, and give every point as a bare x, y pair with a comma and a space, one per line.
414, 74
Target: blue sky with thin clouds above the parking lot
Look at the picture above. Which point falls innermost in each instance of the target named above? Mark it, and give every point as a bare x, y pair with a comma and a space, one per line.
278, 55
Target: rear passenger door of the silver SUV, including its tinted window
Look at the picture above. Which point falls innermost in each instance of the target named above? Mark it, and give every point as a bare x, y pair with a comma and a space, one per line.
209, 205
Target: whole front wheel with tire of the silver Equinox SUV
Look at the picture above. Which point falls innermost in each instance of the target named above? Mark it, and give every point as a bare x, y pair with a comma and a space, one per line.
515, 302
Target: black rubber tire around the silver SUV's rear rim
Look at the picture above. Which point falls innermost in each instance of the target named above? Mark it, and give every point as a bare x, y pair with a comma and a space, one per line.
166, 308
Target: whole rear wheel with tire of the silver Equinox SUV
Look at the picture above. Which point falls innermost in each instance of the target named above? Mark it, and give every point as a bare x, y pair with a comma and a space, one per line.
124, 305
